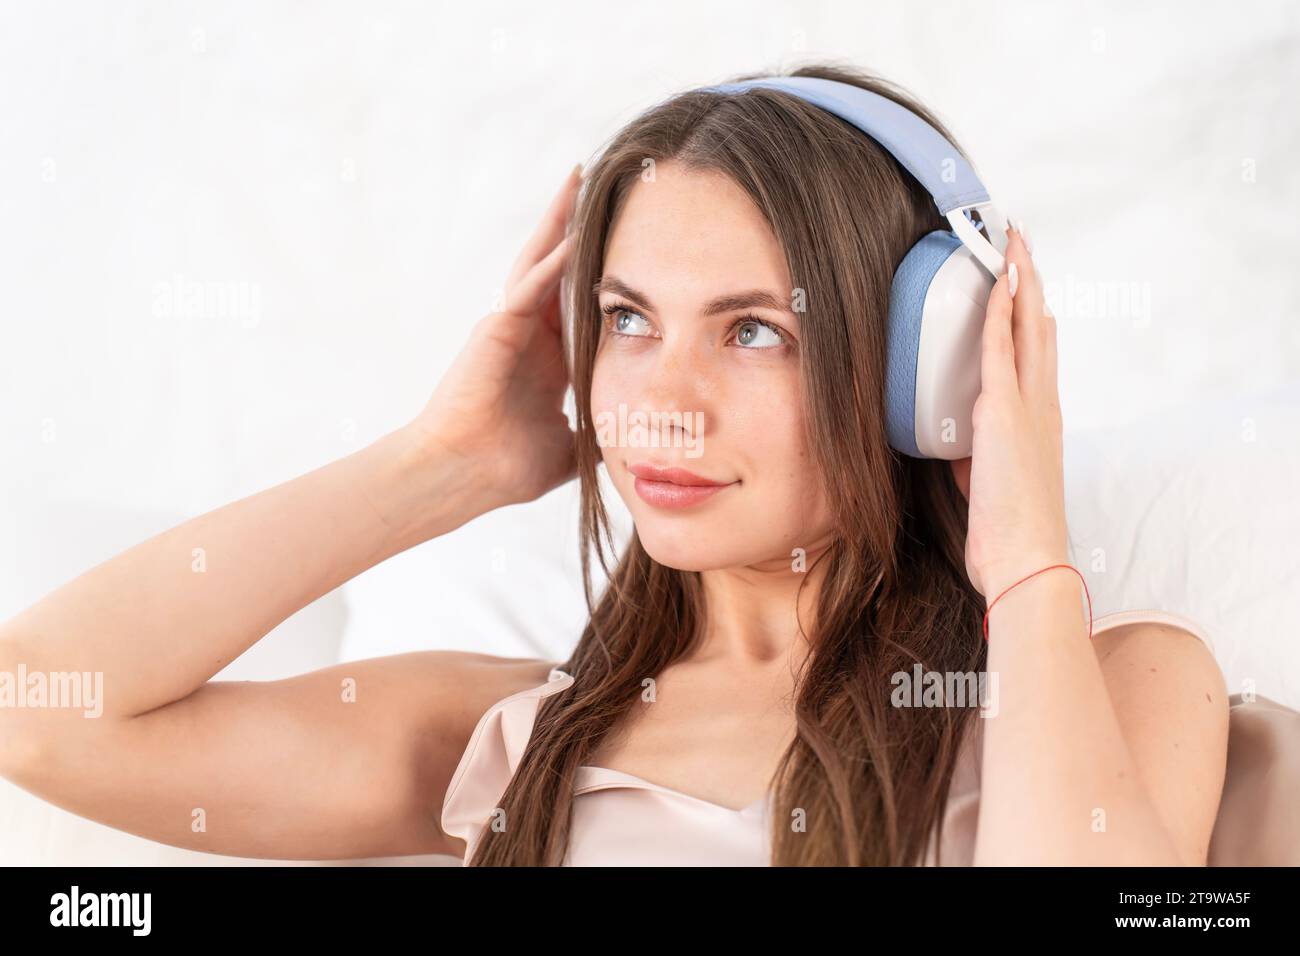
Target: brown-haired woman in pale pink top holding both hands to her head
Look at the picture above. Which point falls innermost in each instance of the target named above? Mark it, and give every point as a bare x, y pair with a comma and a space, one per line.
733, 698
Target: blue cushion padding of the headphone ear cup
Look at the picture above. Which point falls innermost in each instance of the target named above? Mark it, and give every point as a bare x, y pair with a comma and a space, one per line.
903, 335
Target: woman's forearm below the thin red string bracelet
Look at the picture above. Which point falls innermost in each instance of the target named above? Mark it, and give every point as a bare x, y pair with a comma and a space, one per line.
1059, 782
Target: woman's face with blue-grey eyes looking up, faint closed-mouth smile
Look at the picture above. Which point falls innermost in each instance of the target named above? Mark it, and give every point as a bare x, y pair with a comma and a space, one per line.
699, 371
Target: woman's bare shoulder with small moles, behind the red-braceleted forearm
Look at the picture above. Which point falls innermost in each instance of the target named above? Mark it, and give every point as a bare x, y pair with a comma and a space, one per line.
1172, 703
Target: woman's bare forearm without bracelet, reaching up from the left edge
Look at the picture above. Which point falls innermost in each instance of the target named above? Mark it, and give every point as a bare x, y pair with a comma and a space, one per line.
164, 617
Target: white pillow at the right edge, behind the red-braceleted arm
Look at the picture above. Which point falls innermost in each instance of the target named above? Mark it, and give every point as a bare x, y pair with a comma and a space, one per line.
1194, 511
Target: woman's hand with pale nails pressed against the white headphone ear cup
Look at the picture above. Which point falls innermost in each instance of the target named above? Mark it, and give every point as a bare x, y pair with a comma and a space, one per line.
1015, 479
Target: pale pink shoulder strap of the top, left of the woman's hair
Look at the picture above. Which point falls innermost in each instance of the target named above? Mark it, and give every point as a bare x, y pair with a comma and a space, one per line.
489, 762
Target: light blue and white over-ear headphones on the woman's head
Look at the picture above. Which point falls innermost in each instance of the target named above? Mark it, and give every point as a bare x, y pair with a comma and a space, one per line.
941, 289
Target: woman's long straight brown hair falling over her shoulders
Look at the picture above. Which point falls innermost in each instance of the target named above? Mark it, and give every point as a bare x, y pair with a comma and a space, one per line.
868, 781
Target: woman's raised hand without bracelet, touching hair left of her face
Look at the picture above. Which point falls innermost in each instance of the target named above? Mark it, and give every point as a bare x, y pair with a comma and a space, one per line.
501, 406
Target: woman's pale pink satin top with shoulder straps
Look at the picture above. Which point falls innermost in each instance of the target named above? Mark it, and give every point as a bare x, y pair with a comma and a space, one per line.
623, 820
